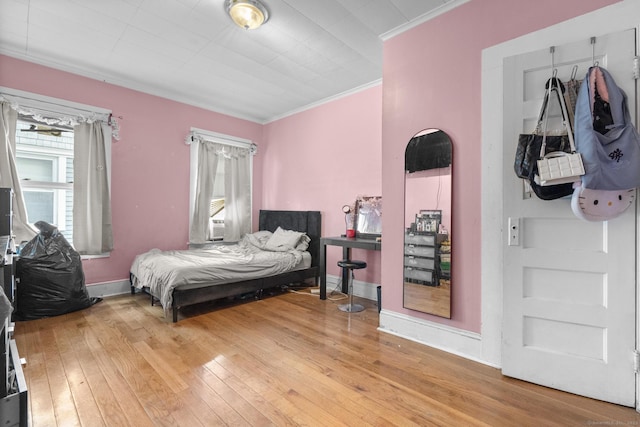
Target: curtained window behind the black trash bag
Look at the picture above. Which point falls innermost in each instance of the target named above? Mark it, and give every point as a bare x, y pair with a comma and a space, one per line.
62, 164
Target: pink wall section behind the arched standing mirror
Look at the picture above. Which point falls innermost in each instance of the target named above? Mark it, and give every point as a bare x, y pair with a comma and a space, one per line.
432, 78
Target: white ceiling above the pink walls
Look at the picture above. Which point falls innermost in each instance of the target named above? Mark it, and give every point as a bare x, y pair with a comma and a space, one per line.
190, 51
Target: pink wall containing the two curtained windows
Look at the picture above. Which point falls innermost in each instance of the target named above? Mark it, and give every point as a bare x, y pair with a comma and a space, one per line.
150, 164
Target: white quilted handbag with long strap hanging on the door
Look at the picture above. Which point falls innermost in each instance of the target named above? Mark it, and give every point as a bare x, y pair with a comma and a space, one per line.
559, 167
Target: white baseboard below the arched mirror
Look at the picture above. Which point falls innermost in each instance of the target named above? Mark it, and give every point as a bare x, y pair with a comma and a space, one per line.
452, 340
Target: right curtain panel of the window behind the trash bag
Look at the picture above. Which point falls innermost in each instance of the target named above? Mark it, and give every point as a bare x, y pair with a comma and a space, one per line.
92, 230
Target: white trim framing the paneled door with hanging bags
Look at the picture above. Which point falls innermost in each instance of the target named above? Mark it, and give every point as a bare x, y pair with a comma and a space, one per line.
614, 18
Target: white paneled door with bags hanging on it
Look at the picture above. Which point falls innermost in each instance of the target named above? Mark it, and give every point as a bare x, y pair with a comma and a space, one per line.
569, 310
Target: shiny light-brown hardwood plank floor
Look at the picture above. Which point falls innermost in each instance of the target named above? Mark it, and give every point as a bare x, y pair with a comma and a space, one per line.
289, 359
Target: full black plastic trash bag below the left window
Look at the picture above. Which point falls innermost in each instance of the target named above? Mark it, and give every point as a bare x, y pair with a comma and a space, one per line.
51, 277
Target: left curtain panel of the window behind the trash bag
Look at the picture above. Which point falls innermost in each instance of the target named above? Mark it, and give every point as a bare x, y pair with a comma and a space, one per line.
8, 172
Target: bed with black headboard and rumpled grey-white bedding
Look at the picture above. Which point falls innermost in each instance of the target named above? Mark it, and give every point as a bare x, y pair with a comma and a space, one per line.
182, 278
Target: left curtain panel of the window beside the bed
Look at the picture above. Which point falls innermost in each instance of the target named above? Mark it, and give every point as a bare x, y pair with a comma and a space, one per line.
208, 153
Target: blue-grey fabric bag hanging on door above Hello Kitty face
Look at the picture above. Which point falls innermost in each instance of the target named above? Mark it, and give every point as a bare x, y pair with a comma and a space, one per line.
605, 136
